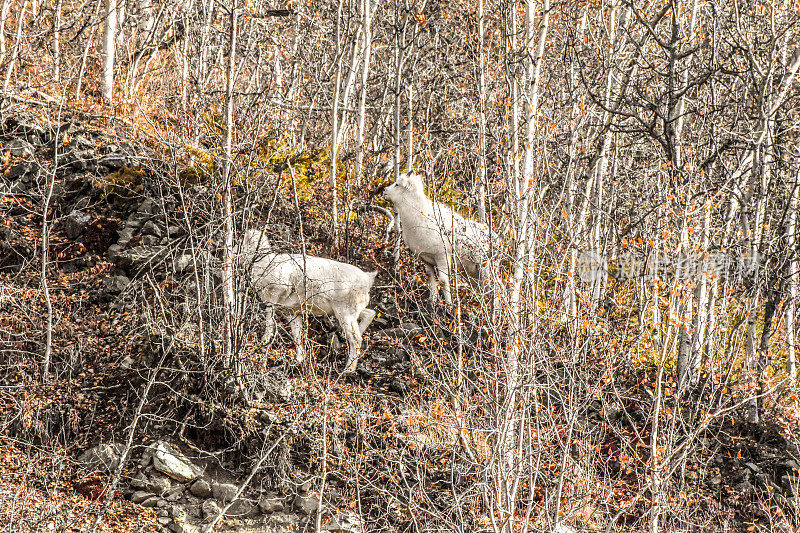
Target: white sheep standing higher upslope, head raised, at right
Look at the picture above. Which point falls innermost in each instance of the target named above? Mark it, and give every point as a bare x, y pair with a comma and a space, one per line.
442, 238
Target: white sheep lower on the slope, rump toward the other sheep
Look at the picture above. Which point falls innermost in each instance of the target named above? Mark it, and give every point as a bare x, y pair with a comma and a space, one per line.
296, 284
